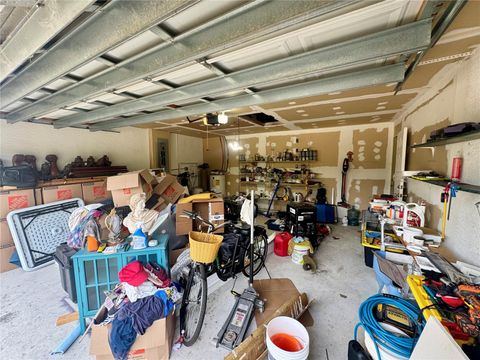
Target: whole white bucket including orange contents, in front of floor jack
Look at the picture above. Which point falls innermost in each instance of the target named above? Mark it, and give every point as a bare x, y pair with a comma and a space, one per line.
285, 334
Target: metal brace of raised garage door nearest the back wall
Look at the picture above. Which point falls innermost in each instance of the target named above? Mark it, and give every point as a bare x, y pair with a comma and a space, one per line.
380, 75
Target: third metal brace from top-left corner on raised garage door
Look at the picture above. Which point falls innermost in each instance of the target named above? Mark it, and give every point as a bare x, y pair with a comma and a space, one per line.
249, 22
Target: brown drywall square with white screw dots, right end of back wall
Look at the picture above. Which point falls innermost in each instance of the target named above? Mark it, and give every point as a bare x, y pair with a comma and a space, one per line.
370, 148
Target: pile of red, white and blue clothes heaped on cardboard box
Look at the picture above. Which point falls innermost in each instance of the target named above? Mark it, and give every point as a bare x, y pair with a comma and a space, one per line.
145, 295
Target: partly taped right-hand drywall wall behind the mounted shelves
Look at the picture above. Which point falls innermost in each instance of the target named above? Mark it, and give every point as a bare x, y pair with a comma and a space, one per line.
452, 96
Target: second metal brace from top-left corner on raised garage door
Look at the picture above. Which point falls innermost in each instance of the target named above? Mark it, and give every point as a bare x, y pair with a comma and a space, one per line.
116, 23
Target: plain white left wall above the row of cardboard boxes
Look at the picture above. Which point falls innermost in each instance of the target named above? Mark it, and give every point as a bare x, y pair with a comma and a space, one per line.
129, 147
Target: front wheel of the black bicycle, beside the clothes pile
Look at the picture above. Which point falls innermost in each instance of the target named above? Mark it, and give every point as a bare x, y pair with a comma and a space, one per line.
194, 304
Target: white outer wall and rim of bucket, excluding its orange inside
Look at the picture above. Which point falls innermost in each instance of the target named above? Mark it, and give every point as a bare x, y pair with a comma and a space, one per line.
287, 325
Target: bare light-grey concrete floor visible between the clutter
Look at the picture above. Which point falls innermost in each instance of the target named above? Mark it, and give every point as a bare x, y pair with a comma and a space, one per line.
31, 302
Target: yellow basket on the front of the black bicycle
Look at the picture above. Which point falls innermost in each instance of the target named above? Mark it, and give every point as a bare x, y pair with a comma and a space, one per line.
204, 247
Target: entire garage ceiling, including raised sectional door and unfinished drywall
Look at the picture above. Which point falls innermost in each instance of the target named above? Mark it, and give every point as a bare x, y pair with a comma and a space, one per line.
102, 65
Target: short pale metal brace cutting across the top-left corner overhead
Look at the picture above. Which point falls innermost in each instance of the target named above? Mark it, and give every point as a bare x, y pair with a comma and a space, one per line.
43, 24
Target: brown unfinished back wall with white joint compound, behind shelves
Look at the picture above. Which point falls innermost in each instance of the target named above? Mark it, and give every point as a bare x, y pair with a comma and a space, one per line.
369, 173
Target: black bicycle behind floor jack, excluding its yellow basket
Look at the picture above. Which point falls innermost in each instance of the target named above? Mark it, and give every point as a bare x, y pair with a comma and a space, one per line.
194, 300
